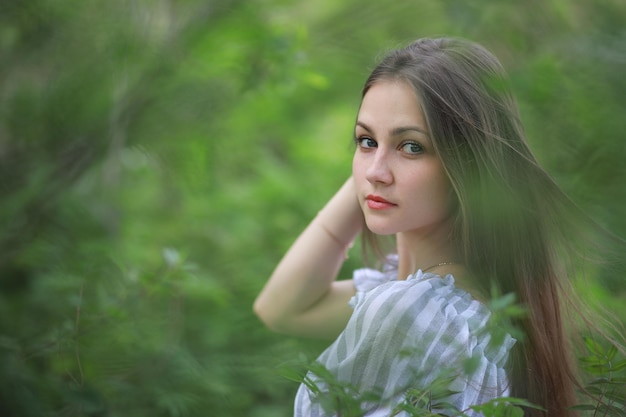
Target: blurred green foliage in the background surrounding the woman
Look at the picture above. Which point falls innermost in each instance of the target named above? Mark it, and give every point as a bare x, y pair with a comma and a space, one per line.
158, 157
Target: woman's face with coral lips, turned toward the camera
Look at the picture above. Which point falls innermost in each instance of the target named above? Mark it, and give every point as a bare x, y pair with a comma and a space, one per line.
400, 181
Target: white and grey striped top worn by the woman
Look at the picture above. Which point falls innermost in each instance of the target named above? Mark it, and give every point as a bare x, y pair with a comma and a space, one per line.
405, 335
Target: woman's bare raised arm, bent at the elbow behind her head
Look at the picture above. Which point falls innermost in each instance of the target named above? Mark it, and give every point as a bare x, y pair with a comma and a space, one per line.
302, 296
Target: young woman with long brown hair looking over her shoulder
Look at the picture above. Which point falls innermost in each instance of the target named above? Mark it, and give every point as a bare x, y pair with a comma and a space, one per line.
441, 162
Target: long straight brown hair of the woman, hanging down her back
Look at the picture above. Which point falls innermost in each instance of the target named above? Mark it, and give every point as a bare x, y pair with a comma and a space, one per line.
514, 227
